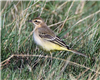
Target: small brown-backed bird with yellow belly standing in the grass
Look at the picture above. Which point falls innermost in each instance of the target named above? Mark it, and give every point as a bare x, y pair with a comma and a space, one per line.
46, 38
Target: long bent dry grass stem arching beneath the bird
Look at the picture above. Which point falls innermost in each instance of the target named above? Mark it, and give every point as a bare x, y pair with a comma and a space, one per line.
42, 56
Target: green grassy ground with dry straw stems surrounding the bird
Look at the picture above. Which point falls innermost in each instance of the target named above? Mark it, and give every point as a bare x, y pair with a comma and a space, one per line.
77, 22
